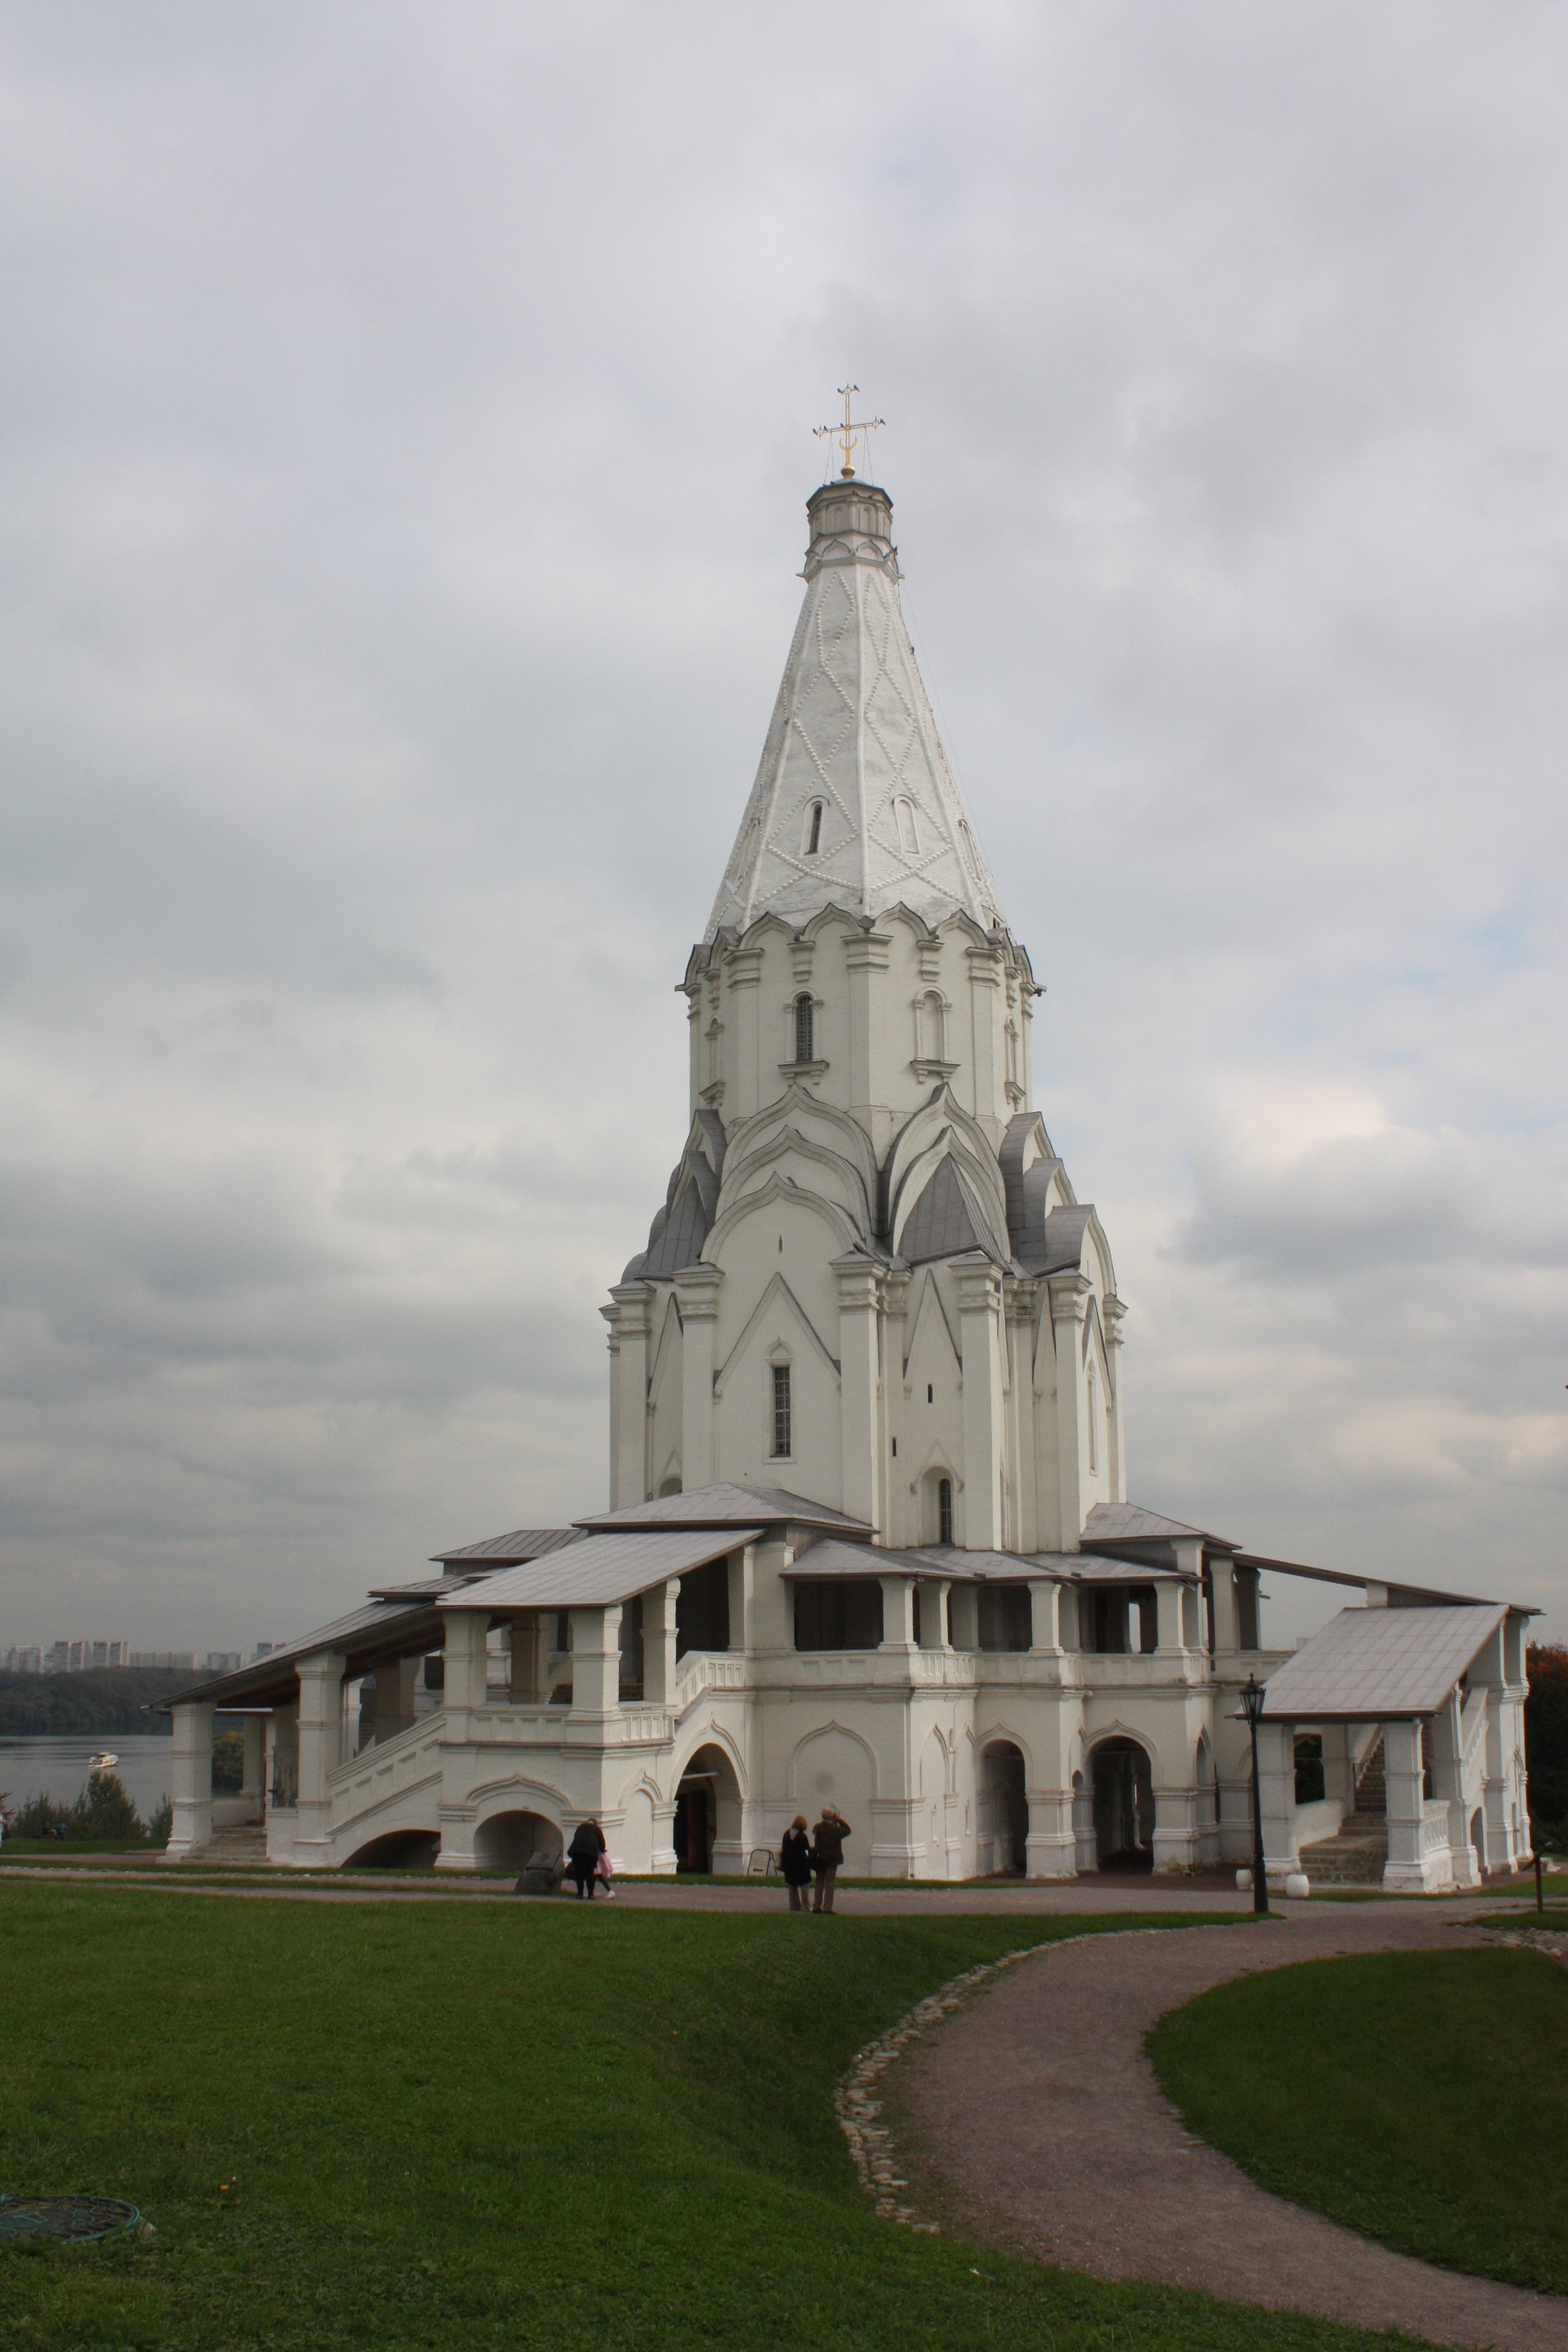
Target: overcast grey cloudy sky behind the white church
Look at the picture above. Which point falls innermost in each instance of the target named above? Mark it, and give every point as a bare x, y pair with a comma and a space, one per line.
406, 434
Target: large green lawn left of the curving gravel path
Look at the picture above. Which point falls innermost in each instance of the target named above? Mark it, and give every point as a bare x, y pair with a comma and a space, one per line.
485, 2125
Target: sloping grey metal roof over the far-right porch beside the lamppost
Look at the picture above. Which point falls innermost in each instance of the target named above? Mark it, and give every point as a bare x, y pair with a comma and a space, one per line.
1374, 1666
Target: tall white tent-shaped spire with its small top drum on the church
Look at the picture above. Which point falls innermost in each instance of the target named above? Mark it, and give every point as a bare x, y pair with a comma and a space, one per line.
855, 801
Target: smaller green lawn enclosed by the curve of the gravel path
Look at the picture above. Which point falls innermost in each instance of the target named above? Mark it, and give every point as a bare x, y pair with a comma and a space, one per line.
1419, 2097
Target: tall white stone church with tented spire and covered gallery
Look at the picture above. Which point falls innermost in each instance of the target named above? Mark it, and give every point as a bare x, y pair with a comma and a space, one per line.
869, 1532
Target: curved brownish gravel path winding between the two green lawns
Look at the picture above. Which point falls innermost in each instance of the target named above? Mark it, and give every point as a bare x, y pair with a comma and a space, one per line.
1038, 2120
